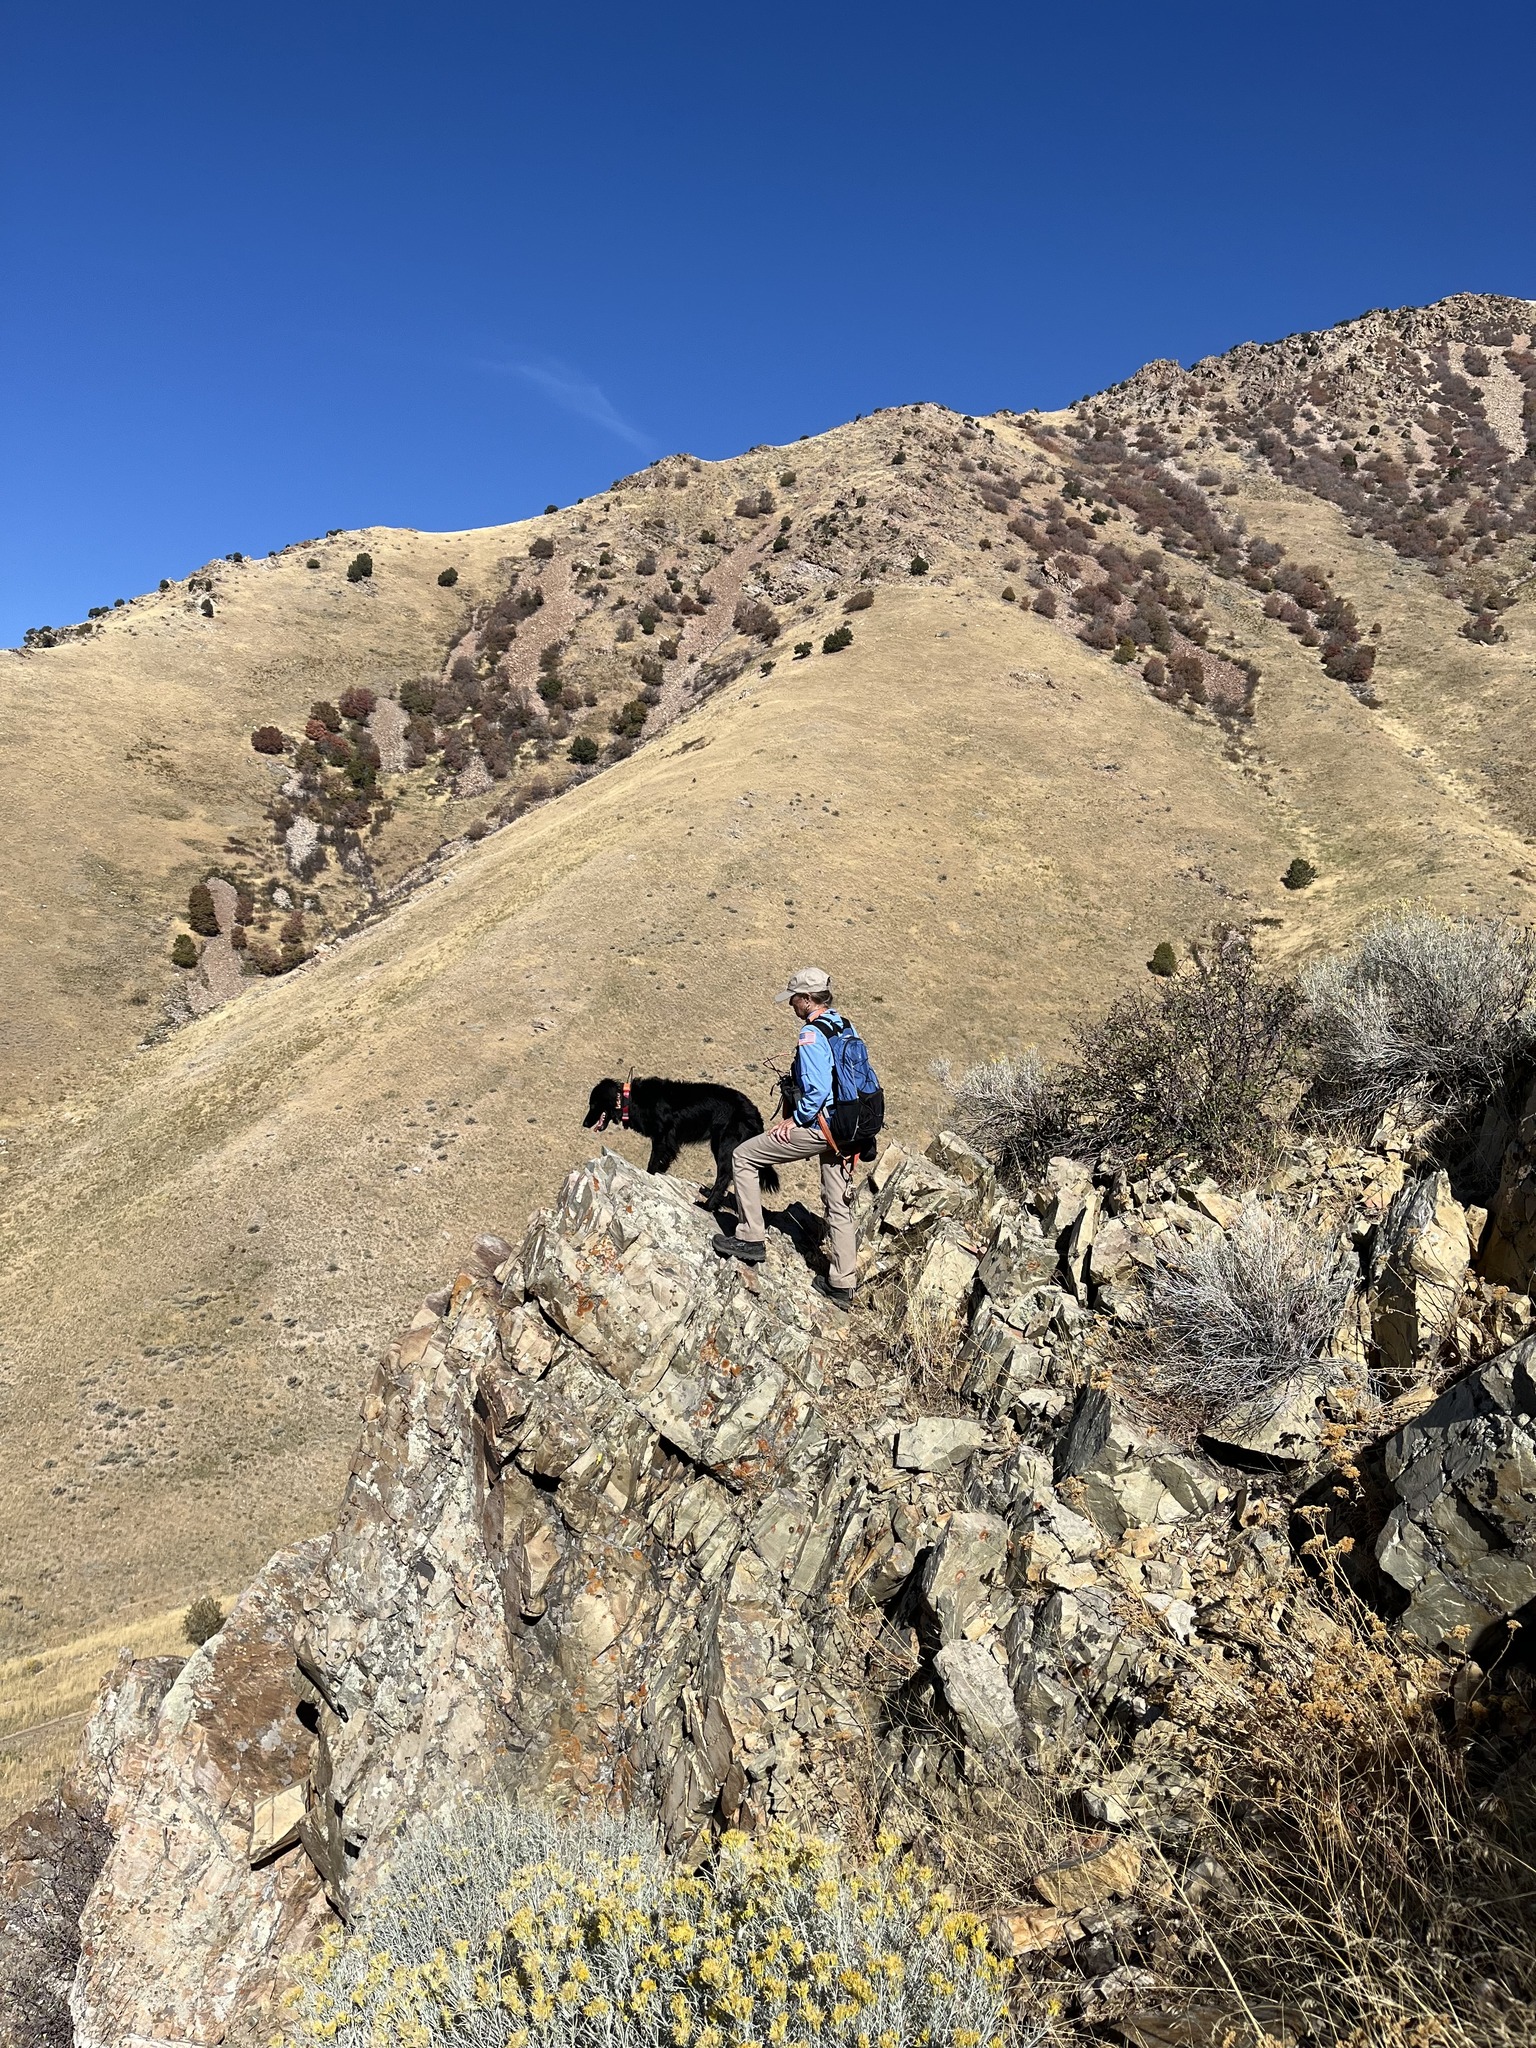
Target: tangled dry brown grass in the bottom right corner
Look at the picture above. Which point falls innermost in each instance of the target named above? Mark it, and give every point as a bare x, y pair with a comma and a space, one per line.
1357, 1879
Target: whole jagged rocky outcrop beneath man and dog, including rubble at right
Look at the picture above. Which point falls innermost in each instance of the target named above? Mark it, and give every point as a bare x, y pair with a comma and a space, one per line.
640, 1529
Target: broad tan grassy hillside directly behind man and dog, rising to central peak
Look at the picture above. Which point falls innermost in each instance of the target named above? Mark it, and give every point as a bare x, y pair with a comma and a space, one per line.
980, 820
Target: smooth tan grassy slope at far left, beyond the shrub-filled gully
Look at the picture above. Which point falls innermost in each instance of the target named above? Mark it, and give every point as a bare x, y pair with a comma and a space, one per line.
128, 767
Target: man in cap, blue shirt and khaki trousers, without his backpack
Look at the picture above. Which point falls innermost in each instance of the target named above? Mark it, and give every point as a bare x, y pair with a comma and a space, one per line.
806, 1134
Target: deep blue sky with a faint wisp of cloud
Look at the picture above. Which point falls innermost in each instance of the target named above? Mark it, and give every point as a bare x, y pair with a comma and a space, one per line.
282, 269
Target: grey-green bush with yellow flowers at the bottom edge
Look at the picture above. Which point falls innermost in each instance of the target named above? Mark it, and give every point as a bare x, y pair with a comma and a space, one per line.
515, 1930
